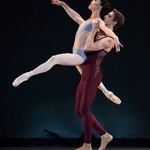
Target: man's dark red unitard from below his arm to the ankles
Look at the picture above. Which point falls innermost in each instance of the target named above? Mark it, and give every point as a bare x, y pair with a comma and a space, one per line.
86, 92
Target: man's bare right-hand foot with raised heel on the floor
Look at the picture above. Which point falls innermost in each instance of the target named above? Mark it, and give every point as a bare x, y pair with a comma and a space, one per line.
105, 139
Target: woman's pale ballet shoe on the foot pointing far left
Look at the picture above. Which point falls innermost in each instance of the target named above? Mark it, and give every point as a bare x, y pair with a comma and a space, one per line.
21, 78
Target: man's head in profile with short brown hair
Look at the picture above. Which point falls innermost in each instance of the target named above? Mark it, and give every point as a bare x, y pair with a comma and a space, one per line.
114, 19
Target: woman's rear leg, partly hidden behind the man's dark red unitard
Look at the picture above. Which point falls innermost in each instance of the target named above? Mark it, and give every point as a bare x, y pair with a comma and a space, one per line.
109, 94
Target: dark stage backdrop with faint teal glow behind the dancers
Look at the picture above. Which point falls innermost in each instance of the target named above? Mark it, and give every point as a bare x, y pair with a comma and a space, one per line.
30, 33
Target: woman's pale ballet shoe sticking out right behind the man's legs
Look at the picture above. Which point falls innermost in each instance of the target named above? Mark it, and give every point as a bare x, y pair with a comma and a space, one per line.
111, 96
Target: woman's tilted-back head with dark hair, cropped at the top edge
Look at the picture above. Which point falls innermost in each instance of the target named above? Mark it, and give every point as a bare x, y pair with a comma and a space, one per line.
99, 5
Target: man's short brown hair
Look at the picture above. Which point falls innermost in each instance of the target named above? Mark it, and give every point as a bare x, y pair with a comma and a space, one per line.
119, 18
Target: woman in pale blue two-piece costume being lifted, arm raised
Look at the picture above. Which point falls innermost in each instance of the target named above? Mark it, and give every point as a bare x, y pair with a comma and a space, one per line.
78, 57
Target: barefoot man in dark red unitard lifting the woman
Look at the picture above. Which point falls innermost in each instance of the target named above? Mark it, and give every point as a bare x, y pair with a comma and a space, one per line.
92, 77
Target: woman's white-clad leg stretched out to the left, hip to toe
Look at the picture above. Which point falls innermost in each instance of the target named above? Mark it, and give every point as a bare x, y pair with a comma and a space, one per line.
60, 59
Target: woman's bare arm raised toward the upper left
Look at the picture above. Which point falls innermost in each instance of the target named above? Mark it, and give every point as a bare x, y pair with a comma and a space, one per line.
73, 14
